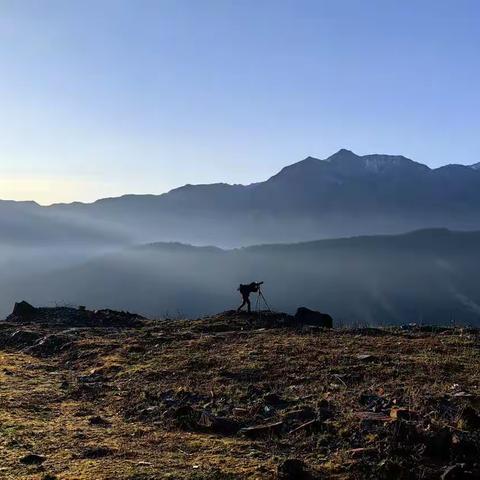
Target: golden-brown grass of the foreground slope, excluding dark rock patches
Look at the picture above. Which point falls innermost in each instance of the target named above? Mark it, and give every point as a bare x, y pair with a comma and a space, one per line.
46, 404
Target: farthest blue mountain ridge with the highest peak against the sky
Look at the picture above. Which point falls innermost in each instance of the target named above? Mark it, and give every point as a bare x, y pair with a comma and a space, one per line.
345, 194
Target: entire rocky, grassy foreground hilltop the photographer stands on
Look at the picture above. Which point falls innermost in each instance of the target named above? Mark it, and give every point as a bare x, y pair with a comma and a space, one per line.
233, 397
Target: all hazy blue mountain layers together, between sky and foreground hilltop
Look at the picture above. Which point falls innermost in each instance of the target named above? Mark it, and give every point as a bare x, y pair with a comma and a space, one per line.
118, 252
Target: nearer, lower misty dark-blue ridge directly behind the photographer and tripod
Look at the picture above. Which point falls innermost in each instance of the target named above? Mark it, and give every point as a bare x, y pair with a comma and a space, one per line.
428, 276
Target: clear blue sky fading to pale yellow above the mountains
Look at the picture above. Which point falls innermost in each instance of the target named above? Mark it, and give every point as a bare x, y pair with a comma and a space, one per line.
100, 98
